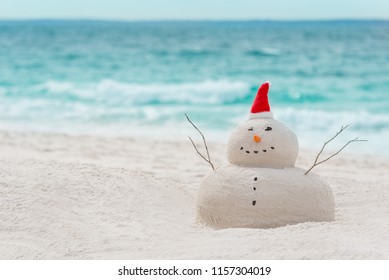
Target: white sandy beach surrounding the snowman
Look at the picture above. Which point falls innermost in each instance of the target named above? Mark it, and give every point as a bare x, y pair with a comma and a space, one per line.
89, 197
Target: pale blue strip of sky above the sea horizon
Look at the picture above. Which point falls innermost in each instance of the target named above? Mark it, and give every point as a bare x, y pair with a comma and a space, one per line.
194, 9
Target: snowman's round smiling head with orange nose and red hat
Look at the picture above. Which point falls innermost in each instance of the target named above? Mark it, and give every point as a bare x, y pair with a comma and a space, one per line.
262, 141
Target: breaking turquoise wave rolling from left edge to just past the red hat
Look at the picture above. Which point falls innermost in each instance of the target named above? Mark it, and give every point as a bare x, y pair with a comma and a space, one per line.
111, 92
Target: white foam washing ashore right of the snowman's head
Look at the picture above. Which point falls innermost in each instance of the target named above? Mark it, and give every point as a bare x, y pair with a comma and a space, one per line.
315, 127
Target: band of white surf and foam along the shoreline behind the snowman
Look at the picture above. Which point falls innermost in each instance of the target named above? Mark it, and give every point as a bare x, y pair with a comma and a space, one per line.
118, 108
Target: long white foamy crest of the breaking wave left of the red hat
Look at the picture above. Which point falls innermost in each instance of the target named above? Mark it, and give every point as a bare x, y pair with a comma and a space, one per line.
111, 91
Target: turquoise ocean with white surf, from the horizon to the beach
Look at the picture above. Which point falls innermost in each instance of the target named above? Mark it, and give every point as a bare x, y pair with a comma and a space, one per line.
139, 78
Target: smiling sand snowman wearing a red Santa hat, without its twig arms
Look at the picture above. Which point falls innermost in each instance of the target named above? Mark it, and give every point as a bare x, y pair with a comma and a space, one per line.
261, 188
